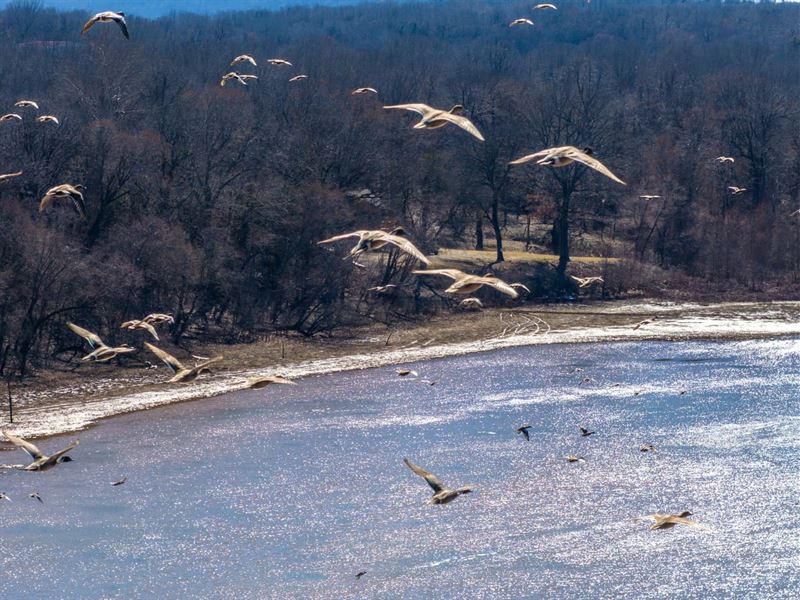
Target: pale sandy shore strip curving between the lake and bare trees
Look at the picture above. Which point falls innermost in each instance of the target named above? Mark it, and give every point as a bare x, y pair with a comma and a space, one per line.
60, 402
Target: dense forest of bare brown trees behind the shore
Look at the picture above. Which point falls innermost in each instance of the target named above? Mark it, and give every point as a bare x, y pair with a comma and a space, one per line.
207, 201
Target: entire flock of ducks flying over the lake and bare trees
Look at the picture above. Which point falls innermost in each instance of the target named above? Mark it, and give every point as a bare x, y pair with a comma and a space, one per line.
368, 240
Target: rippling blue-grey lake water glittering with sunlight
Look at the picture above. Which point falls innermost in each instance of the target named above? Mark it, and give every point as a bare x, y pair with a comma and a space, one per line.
288, 492
